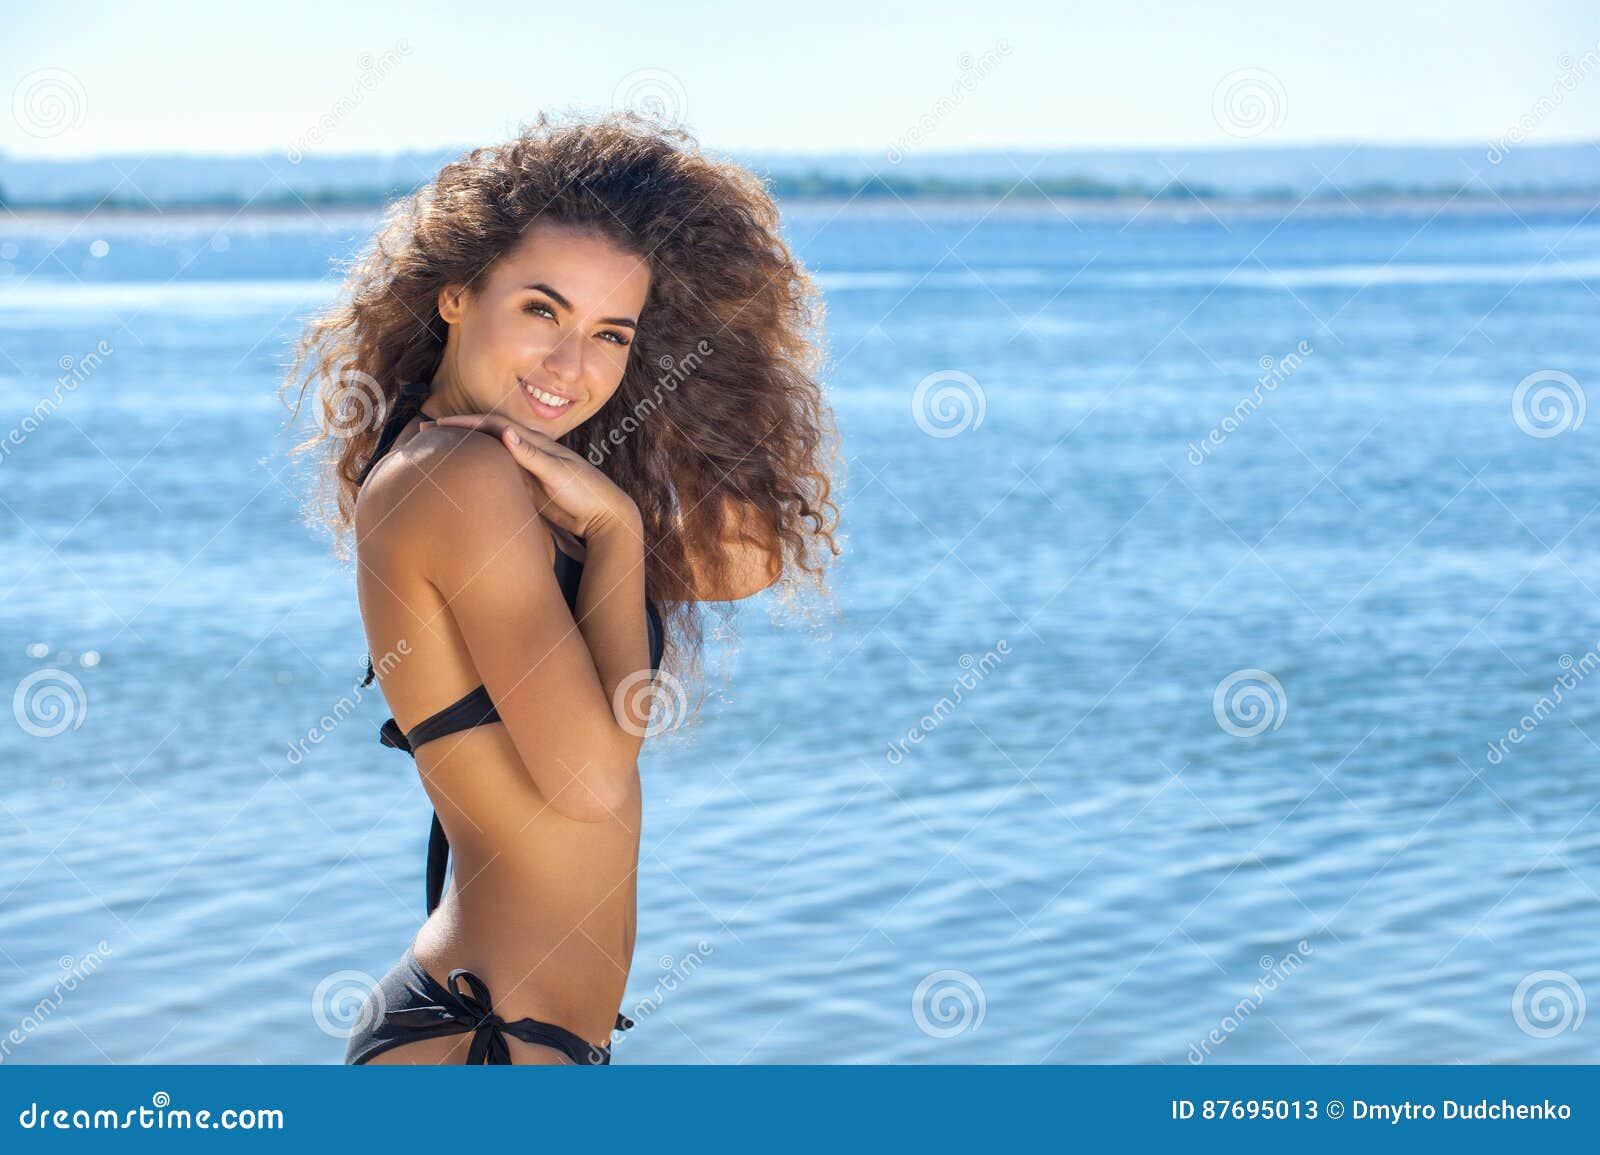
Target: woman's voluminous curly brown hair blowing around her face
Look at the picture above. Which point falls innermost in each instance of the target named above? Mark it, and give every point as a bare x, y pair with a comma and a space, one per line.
719, 420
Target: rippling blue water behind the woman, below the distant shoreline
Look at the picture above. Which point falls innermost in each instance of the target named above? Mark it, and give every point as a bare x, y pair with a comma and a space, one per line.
1079, 863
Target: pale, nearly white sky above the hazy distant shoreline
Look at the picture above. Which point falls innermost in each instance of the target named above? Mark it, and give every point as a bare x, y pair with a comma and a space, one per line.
799, 78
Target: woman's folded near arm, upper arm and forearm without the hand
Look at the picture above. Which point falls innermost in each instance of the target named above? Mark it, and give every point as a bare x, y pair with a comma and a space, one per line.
490, 558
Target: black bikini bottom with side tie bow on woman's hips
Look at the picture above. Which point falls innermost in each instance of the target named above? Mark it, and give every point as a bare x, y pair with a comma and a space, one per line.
410, 1005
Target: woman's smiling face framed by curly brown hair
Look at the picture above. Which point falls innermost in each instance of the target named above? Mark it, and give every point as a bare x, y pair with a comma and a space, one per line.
545, 337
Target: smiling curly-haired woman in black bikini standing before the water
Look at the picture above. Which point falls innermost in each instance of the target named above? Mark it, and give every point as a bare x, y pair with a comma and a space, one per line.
596, 366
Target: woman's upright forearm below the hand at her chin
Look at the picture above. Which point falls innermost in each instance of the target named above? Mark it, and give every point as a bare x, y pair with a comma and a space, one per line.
612, 618
